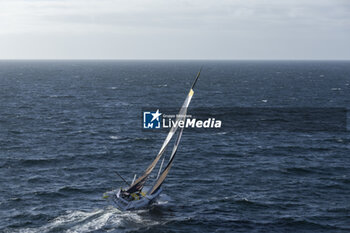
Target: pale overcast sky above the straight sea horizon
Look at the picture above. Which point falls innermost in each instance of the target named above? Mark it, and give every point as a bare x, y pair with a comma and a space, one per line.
174, 29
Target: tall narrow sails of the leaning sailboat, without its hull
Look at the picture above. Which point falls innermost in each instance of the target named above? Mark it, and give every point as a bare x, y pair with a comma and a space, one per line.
139, 183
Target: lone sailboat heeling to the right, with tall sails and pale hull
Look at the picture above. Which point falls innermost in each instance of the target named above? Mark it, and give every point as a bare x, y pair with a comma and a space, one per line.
136, 196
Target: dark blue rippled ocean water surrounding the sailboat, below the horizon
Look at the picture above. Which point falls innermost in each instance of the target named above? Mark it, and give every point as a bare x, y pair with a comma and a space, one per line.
67, 126
